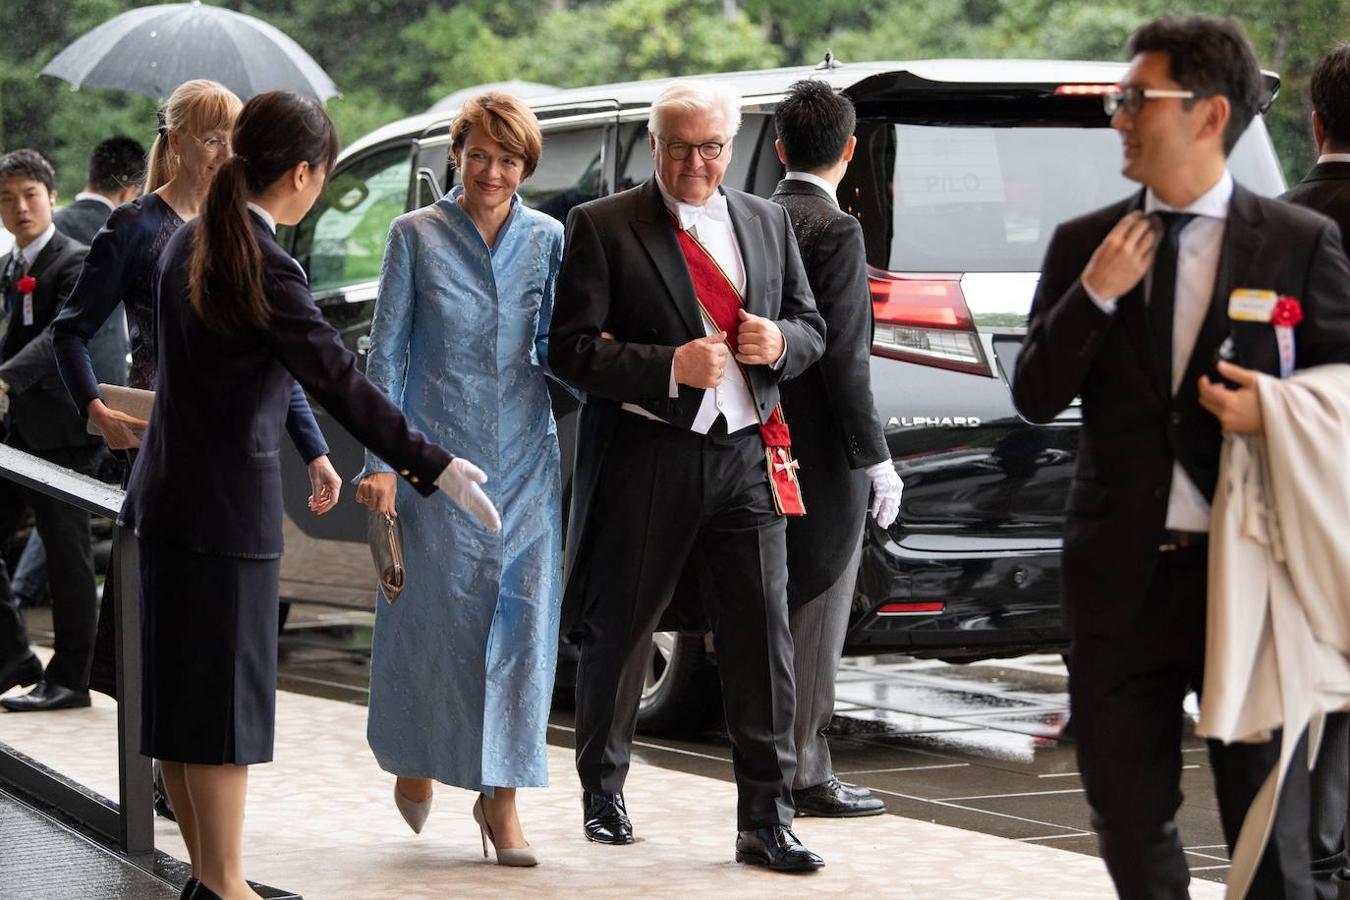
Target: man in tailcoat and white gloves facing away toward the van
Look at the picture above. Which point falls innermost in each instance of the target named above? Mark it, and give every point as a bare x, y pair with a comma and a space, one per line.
836, 434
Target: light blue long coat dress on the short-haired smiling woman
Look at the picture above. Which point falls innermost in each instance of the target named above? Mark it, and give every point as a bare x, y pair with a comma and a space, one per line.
462, 666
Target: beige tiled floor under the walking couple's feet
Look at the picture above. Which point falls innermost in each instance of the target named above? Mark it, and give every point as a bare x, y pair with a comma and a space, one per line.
322, 822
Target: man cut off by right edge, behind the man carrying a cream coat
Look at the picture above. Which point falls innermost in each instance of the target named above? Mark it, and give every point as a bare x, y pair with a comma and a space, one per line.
1326, 188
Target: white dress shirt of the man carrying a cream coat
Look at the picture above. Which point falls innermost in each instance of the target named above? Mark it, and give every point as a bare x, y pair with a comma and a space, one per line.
1199, 248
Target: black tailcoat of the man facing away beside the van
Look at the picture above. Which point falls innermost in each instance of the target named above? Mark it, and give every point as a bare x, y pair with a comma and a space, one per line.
830, 407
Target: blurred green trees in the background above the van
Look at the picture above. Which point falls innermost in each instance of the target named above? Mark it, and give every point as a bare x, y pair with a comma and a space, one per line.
398, 57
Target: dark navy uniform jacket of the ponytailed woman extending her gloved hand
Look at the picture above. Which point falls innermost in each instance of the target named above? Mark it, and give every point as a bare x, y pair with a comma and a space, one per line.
209, 476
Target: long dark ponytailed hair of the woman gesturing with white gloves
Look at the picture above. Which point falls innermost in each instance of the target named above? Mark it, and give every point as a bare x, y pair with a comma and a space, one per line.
276, 132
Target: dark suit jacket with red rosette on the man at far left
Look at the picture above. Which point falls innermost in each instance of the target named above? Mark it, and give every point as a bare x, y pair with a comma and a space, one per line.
43, 415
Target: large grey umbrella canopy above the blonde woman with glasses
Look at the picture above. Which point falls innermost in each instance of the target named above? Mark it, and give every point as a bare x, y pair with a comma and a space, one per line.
153, 51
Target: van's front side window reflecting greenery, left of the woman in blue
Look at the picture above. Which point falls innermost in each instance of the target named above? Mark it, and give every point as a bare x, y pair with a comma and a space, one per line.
342, 241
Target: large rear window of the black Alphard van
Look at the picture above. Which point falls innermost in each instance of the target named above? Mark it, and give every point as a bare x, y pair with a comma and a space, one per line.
978, 199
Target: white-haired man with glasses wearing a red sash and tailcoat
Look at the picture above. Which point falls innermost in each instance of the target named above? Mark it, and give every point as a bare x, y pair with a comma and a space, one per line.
681, 307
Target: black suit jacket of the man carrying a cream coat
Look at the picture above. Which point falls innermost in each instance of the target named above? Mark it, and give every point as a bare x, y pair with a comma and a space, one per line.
1133, 428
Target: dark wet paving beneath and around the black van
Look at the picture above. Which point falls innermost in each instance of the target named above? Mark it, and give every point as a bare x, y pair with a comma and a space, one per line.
974, 747
